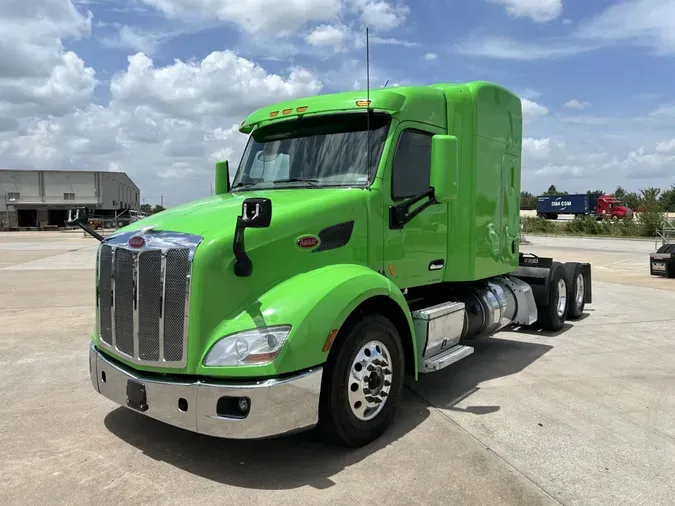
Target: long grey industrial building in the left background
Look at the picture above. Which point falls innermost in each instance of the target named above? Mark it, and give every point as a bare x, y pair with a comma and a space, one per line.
39, 199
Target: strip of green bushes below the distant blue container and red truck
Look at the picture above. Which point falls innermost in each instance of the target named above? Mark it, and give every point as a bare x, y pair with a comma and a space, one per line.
588, 226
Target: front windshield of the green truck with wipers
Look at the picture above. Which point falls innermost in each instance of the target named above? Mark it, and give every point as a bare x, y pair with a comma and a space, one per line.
323, 151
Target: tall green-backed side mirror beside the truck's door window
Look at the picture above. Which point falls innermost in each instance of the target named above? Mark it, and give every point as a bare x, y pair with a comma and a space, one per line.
444, 167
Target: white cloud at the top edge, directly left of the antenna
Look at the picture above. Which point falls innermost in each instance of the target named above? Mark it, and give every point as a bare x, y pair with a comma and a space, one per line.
264, 17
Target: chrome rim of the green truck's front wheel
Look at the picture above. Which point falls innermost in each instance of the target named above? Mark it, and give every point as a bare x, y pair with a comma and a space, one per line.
369, 380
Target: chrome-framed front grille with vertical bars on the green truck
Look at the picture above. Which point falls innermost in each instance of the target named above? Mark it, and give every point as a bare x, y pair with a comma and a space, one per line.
144, 297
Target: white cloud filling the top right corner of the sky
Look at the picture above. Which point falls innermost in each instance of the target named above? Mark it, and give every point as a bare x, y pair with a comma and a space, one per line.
646, 22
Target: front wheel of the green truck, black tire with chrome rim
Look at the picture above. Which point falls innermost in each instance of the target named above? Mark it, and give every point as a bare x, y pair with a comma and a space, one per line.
340, 390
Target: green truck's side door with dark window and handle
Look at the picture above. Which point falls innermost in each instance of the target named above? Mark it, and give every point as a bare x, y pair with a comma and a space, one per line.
415, 254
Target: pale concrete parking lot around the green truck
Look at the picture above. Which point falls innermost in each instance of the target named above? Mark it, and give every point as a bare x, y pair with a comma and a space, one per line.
586, 416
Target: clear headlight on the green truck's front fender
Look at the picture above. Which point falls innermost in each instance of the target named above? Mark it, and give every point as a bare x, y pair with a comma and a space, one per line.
251, 347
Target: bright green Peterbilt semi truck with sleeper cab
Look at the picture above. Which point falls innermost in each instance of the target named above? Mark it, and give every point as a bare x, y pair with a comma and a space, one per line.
366, 237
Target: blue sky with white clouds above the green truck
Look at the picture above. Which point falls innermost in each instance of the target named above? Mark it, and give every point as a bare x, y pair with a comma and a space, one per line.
156, 87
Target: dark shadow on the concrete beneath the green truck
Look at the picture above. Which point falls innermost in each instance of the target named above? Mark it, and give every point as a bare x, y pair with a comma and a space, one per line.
303, 459
